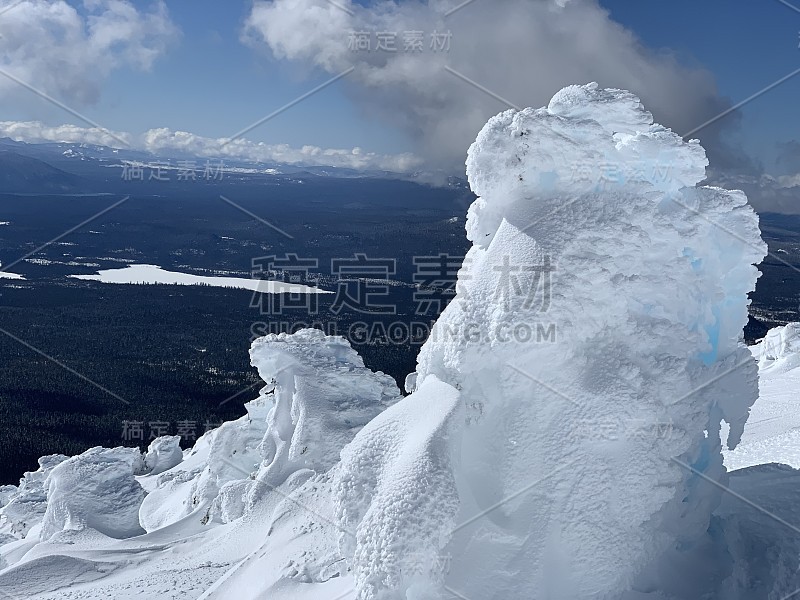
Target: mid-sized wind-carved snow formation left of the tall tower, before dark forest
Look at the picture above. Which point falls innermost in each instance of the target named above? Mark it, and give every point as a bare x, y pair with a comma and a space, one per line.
318, 394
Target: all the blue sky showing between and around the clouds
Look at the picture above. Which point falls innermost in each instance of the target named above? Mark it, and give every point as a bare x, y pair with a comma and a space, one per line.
210, 83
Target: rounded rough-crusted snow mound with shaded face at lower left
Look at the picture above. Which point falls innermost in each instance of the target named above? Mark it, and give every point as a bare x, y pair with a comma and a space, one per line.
98, 490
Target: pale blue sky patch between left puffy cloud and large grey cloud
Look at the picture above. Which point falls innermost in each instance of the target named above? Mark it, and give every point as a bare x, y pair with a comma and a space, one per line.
214, 85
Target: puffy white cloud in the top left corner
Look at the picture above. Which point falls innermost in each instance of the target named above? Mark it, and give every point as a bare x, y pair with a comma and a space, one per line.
67, 53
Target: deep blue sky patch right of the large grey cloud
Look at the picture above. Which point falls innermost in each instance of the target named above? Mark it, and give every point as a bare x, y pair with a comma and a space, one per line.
746, 45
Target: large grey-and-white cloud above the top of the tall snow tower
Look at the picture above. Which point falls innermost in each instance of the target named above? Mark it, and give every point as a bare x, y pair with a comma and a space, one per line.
521, 50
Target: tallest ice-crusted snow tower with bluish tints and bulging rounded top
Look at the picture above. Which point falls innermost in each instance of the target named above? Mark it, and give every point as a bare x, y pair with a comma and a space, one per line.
589, 220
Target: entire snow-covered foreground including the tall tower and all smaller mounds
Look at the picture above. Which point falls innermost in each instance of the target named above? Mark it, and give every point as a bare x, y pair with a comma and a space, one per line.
564, 434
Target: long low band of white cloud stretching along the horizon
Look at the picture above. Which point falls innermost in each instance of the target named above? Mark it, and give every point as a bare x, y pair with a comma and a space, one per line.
166, 142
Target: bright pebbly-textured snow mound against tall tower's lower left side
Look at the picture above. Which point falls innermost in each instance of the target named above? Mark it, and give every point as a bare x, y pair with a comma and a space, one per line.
396, 495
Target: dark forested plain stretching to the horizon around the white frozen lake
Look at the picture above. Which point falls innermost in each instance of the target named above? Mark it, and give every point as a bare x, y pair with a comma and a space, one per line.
174, 359
